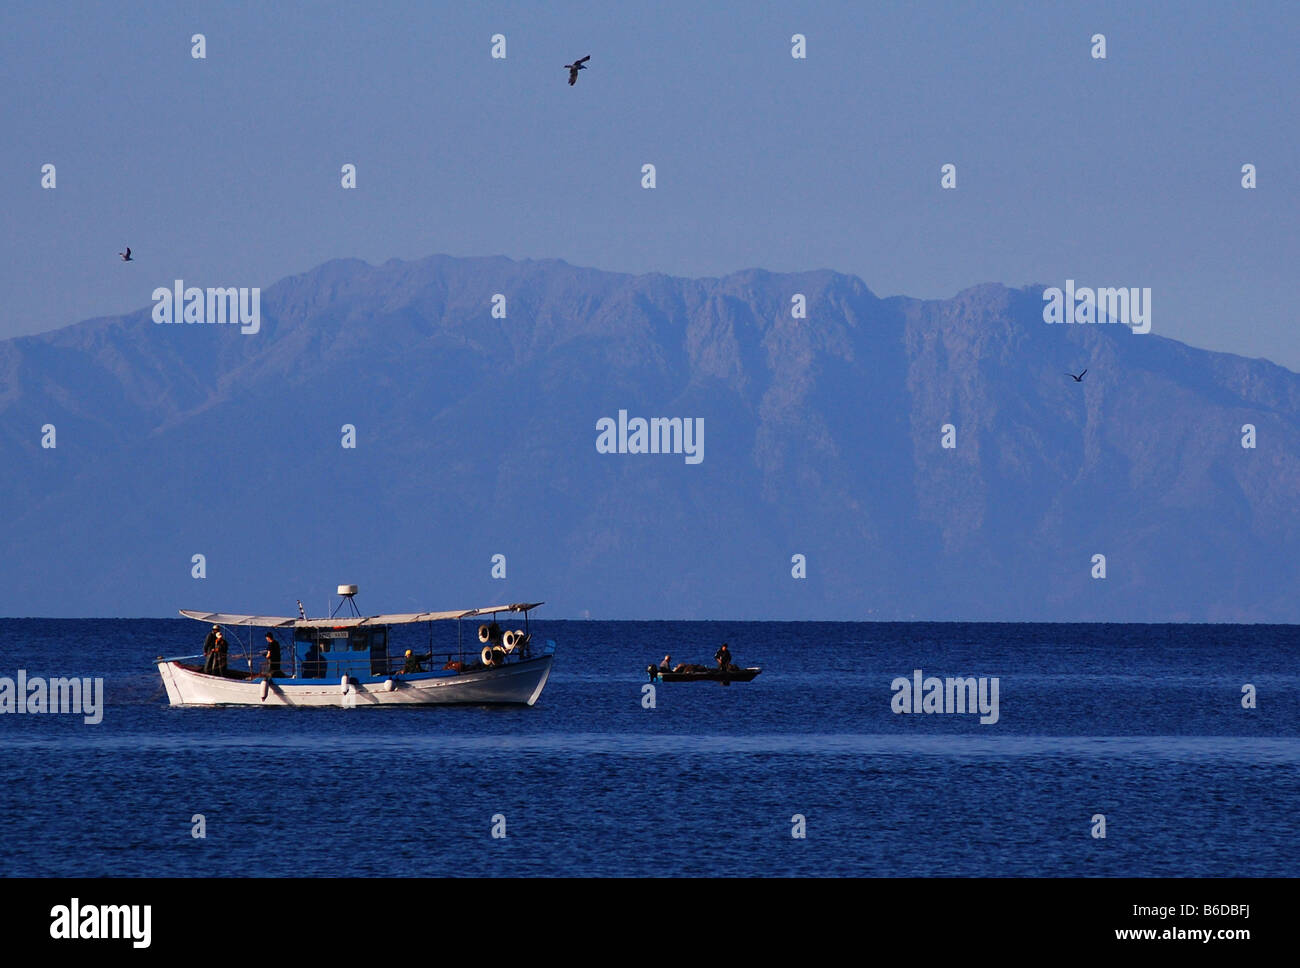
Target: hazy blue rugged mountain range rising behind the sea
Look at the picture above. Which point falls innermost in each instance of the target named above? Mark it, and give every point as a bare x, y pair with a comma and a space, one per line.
476, 436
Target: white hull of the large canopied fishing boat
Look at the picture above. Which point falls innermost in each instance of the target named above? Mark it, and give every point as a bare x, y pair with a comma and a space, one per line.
514, 684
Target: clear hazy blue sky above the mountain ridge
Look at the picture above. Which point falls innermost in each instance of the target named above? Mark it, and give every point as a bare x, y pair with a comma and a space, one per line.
1124, 172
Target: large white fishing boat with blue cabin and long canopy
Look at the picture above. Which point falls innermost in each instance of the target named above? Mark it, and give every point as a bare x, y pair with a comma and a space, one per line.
345, 661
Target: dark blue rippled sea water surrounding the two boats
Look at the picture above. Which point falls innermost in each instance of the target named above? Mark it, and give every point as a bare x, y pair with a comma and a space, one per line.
1142, 724
